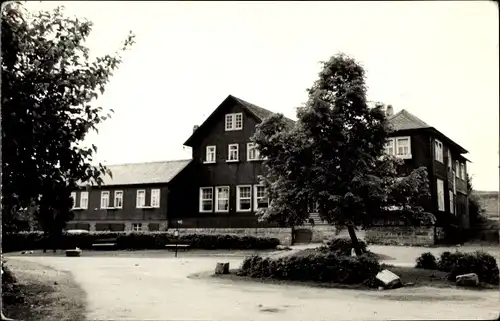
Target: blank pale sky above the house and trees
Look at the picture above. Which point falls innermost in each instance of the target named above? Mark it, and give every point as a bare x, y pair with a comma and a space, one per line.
438, 60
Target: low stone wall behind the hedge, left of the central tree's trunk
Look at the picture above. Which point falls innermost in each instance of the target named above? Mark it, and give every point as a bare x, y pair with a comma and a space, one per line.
283, 234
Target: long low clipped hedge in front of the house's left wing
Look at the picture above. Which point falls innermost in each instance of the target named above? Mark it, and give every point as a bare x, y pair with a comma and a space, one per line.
137, 241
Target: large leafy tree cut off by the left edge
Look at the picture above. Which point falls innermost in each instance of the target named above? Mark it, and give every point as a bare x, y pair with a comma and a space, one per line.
49, 88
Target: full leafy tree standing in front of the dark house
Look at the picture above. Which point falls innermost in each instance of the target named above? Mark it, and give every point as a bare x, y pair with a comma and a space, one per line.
334, 155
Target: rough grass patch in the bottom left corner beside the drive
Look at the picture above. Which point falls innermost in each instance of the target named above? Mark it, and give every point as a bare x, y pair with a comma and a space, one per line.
43, 293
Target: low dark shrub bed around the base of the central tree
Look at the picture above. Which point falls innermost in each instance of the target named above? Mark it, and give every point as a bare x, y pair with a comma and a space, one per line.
323, 267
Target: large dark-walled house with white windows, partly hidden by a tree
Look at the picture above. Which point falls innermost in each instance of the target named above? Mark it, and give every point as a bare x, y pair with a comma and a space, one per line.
219, 187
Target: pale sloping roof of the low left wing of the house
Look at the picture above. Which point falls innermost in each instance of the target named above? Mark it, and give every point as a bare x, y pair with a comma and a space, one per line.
144, 173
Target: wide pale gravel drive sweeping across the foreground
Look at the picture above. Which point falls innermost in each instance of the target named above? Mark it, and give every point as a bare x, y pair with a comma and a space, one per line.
133, 288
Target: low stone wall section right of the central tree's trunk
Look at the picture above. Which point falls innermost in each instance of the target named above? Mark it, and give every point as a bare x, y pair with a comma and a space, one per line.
400, 235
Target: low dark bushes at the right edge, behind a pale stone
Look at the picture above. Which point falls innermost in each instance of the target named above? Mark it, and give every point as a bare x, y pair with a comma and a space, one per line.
481, 263
